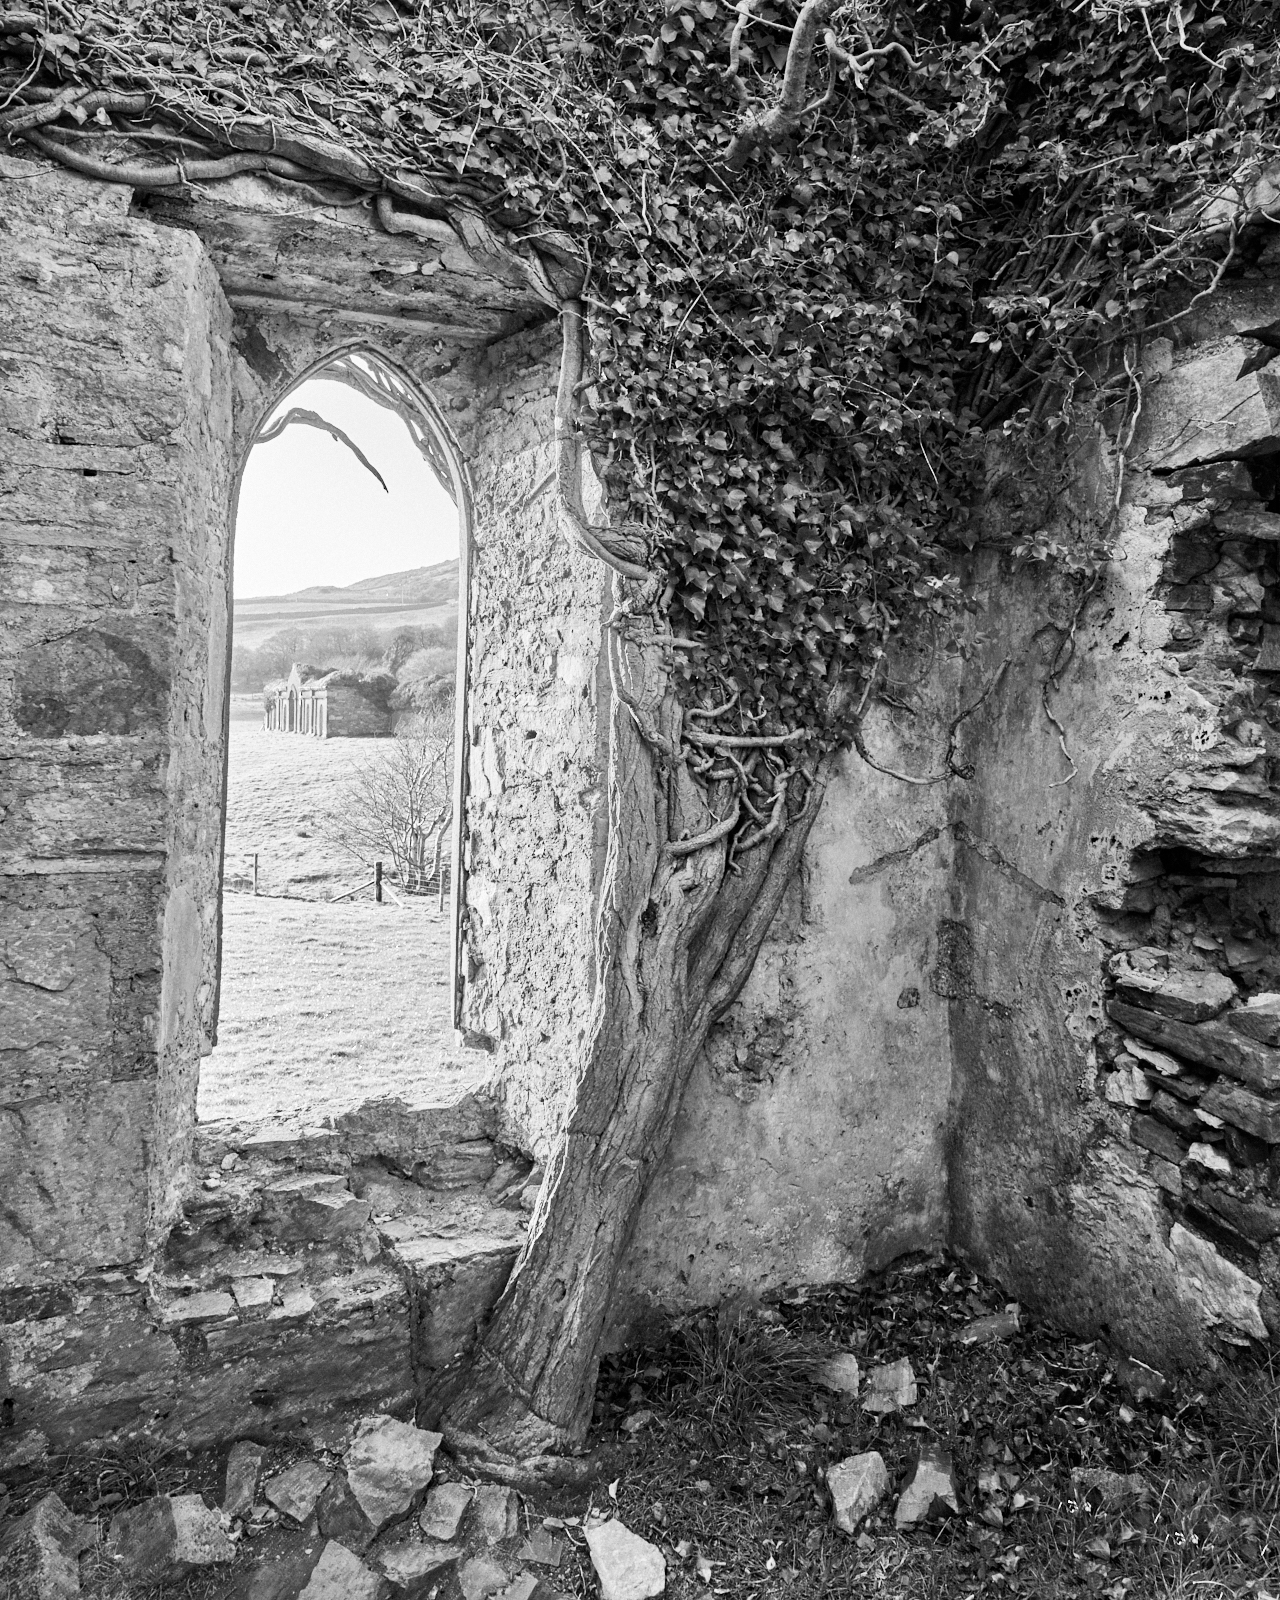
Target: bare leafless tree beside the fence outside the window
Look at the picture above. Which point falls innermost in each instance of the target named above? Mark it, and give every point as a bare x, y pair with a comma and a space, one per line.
399, 809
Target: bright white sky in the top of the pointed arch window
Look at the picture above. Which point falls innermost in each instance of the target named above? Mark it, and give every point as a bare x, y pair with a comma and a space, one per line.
311, 514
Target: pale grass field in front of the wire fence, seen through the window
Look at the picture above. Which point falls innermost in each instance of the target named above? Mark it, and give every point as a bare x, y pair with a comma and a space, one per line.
326, 1007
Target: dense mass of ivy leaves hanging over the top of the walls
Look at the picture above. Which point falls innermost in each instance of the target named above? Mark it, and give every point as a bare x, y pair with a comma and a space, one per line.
798, 364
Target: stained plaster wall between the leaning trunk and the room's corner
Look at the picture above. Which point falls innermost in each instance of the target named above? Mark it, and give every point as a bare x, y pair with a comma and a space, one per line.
810, 1146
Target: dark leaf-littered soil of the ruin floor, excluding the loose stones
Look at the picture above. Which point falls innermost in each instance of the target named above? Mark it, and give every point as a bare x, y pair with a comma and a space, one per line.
714, 1444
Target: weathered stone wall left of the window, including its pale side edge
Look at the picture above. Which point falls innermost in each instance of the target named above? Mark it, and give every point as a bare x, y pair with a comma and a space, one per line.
114, 476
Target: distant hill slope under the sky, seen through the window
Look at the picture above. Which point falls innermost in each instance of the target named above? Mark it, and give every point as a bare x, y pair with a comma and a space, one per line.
415, 598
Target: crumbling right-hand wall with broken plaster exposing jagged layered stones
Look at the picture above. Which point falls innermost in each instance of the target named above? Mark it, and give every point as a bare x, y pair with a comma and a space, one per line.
1140, 1199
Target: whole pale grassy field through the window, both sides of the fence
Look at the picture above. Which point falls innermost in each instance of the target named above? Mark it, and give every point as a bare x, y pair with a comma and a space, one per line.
324, 1006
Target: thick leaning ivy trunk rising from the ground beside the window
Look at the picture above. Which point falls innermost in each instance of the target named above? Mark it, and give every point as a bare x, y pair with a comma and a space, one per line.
678, 938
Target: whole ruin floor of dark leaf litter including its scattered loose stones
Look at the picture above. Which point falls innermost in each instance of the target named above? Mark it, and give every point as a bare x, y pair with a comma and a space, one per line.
911, 1436
